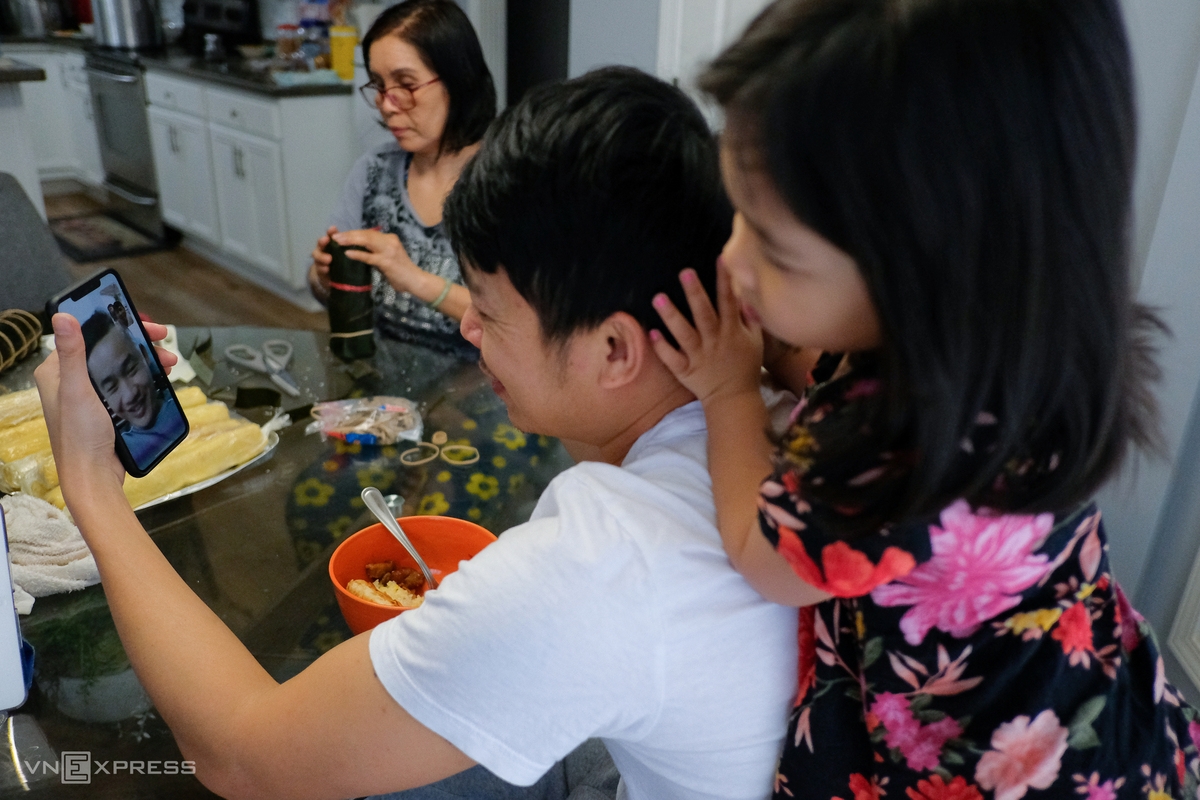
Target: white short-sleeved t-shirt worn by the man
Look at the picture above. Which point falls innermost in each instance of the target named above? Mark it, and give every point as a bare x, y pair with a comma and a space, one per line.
613, 613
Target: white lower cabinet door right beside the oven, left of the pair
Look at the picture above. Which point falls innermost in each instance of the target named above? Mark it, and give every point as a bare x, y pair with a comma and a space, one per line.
184, 169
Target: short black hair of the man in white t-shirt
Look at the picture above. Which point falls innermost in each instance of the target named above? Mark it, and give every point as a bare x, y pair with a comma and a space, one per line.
592, 196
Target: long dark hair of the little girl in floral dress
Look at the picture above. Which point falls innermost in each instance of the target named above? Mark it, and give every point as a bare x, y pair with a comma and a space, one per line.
975, 158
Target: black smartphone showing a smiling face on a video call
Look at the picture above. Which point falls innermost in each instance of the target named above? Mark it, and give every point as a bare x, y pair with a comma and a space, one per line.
125, 371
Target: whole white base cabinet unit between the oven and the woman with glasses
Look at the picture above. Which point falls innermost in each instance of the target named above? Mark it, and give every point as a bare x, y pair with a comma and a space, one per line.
253, 179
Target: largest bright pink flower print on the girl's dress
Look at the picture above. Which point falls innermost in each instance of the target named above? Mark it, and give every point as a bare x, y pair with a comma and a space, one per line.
981, 566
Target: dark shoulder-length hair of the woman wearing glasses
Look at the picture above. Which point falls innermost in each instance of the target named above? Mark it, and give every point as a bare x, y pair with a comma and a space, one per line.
447, 41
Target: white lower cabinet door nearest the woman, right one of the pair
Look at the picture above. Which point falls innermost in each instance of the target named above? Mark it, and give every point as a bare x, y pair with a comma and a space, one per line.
250, 199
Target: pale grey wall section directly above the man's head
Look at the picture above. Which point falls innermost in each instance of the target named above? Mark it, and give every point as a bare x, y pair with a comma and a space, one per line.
613, 32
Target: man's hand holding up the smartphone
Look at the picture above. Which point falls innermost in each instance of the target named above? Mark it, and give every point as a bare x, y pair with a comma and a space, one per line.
82, 436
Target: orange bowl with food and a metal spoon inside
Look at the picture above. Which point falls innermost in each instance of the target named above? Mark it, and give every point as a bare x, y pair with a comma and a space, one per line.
442, 542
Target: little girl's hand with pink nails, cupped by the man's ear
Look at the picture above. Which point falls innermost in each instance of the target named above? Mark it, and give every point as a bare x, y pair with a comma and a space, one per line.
722, 356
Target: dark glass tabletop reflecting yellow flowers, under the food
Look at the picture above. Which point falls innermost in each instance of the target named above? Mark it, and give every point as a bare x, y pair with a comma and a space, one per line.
256, 548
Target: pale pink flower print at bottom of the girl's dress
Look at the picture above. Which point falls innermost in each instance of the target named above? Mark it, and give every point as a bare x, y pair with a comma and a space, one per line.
1025, 755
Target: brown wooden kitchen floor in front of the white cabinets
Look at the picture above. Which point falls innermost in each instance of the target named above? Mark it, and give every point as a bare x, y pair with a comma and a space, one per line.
183, 288
